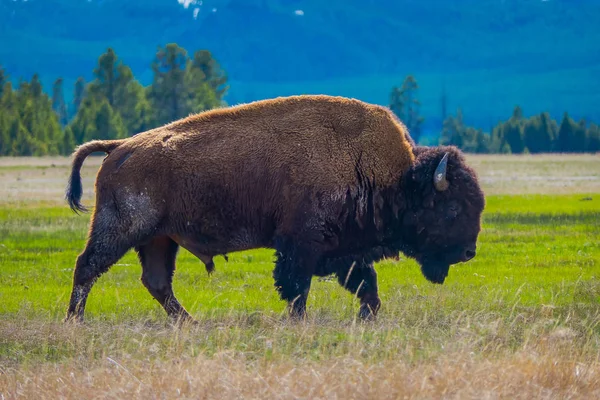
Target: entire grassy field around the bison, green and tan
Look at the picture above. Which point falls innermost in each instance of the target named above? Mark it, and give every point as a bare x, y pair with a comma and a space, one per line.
521, 320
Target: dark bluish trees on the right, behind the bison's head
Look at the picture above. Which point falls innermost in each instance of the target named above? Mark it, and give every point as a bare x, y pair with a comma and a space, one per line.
517, 135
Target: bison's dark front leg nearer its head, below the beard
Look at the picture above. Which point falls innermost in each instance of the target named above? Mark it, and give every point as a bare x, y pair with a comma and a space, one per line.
360, 278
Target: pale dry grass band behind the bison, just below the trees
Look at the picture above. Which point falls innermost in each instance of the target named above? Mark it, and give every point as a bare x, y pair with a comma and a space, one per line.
30, 179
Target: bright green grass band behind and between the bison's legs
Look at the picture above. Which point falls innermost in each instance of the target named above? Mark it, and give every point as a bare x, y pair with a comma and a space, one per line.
534, 251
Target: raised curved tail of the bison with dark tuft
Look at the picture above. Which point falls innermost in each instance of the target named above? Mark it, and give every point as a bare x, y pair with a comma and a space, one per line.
74, 188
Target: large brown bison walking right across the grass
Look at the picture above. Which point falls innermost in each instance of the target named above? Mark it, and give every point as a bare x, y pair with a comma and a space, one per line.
331, 184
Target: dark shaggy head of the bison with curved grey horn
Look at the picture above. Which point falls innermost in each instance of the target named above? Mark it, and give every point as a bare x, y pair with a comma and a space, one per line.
443, 203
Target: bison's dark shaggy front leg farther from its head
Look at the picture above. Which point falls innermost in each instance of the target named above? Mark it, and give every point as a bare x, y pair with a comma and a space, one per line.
293, 274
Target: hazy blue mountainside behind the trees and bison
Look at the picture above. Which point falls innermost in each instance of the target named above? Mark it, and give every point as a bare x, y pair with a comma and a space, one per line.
490, 54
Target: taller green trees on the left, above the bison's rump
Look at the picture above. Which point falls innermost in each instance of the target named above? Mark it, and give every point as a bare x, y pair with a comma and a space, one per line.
113, 105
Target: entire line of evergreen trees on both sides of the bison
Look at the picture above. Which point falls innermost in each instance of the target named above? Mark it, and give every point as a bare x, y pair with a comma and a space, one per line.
115, 105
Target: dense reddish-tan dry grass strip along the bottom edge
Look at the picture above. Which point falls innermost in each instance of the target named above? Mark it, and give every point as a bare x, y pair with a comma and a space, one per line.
520, 376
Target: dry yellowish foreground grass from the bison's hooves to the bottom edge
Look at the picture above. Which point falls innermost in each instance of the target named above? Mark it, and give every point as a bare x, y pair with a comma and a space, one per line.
106, 364
